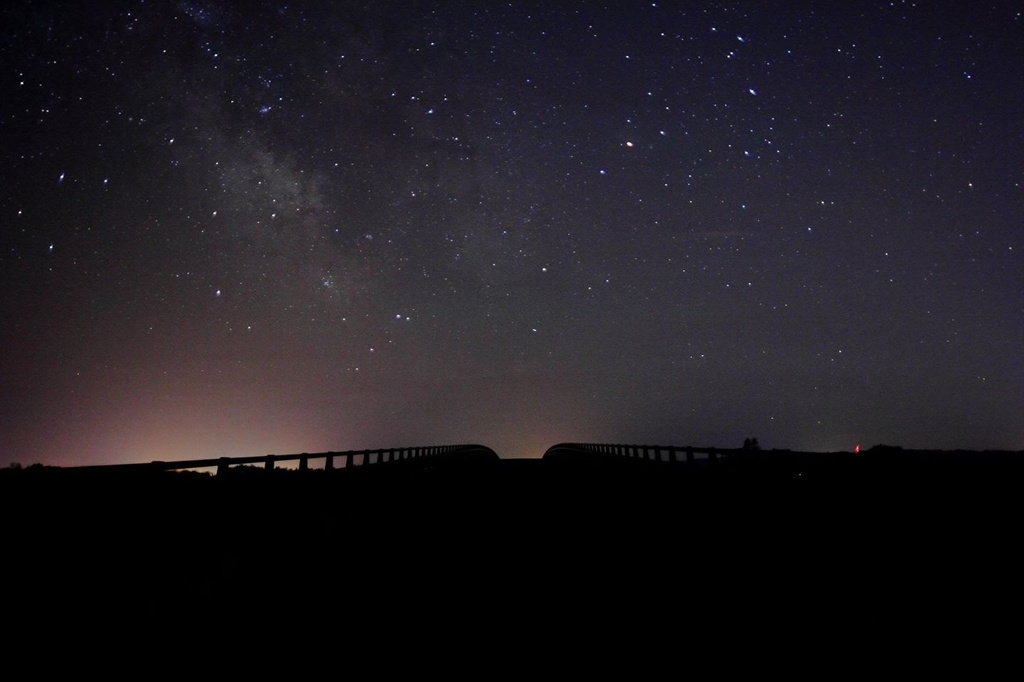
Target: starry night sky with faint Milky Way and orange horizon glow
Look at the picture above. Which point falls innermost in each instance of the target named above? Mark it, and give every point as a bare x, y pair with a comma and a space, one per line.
331, 226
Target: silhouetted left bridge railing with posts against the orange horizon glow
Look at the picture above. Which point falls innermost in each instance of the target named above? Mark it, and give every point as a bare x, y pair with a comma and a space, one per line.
332, 460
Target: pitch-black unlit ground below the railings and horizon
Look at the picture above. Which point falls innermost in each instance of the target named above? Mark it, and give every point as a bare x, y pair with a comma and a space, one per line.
586, 559
